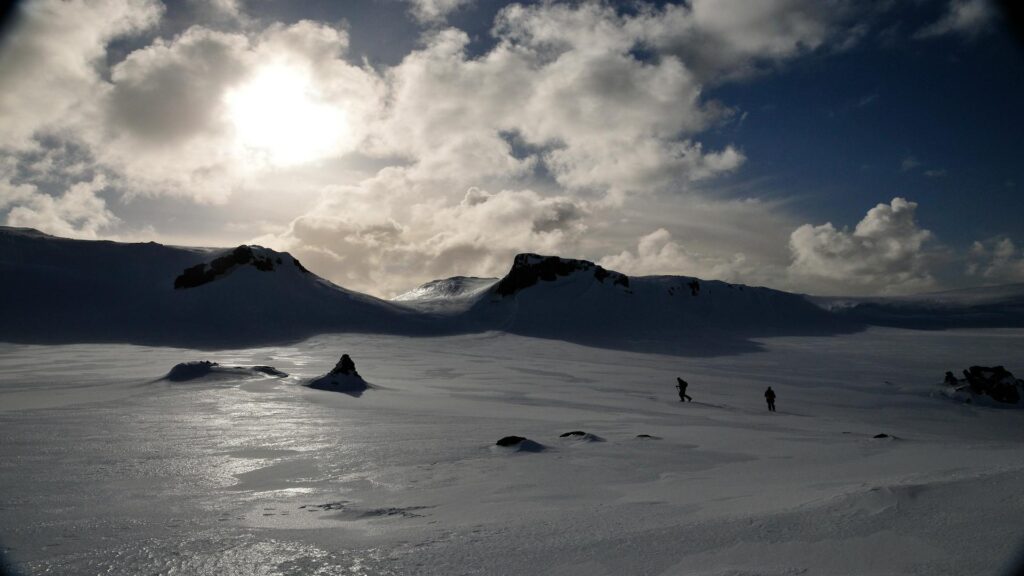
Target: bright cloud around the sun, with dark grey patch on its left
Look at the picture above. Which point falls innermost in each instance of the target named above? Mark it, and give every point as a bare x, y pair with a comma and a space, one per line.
170, 126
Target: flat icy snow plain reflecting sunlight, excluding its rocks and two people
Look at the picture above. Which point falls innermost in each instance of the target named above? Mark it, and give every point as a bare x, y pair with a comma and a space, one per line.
106, 468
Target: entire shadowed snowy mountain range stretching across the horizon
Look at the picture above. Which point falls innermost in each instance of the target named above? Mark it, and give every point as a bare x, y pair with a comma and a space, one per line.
60, 291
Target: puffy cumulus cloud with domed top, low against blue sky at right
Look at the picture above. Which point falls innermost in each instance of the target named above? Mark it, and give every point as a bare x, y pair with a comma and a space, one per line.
886, 254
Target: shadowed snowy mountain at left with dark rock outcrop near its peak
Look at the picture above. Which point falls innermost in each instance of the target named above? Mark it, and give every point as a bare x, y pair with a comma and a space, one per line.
60, 291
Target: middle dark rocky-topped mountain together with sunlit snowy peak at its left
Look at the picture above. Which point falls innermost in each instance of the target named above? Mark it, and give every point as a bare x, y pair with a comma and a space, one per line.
578, 301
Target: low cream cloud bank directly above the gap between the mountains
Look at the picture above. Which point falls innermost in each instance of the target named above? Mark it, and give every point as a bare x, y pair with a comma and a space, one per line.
376, 238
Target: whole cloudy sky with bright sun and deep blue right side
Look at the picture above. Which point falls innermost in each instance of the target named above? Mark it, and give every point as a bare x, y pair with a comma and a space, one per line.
826, 147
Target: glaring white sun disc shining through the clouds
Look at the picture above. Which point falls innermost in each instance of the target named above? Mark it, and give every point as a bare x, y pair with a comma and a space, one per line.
279, 117
